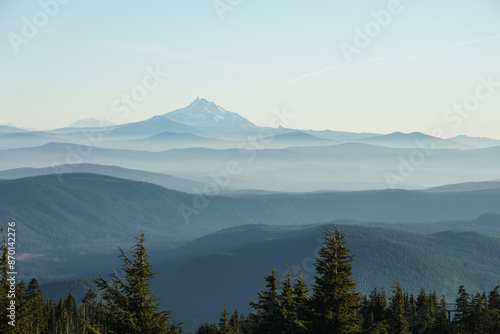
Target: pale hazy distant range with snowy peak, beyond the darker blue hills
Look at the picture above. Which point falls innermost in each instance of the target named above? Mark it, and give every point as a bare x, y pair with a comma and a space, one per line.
194, 142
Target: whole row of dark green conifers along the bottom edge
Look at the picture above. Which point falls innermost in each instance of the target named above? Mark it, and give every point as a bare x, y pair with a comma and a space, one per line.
125, 304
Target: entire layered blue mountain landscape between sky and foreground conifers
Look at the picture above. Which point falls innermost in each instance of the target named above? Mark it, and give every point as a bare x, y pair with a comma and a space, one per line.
240, 199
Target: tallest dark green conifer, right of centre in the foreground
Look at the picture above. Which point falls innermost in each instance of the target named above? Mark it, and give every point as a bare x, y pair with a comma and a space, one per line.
335, 302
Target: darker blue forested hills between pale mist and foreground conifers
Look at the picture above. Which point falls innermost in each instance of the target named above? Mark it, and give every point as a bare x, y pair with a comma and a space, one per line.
72, 223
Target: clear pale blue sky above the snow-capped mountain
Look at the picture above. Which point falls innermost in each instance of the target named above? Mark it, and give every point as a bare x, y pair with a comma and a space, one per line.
359, 66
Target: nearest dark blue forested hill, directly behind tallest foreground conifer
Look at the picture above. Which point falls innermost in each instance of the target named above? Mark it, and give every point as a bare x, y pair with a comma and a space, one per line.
230, 275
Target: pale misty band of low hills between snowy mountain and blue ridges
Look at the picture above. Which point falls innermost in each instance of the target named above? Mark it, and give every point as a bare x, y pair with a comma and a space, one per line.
298, 169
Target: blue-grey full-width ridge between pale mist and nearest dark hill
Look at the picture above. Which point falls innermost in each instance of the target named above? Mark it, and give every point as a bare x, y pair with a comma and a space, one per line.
80, 211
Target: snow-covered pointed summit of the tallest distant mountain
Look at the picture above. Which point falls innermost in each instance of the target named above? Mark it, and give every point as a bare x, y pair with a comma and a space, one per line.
204, 113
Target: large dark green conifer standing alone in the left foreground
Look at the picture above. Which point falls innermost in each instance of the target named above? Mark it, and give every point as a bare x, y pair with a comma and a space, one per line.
130, 306
